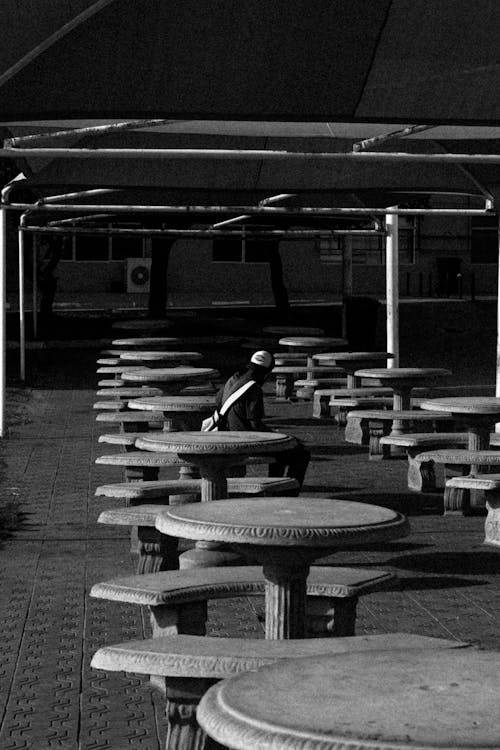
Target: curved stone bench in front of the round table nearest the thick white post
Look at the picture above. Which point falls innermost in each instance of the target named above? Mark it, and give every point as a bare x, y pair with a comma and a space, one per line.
367, 426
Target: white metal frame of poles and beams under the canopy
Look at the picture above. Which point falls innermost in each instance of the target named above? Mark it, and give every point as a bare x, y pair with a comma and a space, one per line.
361, 152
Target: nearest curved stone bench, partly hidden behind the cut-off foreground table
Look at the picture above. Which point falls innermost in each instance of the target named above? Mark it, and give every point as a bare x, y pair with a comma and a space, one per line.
185, 666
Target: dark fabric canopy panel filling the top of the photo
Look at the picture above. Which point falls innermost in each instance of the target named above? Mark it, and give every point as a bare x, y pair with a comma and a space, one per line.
296, 60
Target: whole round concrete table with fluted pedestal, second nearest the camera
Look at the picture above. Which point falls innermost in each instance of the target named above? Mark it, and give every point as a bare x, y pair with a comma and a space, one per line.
284, 535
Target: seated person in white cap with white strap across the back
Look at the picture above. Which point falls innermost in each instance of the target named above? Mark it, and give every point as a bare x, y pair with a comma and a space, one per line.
247, 413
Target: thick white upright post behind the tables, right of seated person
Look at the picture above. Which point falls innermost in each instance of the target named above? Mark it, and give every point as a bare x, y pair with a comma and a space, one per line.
392, 287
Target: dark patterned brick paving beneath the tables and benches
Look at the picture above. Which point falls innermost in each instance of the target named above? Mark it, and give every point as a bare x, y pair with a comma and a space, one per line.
49, 627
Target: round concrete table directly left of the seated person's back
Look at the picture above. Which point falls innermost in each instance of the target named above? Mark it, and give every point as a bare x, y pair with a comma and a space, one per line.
181, 412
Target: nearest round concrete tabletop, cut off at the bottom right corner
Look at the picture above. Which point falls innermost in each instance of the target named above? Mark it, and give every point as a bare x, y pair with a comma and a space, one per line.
397, 699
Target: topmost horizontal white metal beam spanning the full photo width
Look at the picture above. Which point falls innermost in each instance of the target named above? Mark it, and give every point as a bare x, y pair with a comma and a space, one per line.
245, 154
